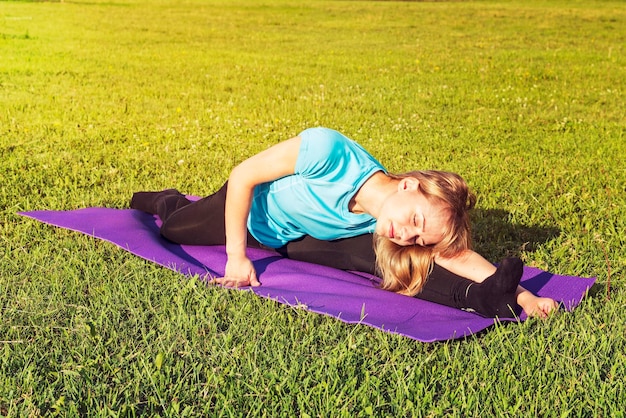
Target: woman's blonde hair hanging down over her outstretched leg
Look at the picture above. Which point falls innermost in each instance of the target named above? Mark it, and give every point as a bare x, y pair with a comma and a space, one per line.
404, 268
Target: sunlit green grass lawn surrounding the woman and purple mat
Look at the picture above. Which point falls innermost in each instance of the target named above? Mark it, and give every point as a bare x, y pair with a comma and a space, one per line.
99, 99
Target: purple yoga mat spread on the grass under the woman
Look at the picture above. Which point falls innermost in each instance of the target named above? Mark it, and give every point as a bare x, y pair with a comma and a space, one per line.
350, 297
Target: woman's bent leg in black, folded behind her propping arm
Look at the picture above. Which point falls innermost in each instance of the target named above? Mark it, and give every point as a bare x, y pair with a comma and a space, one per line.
188, 222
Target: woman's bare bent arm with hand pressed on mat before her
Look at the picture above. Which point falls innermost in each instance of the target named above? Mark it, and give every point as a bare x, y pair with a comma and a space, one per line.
271, 164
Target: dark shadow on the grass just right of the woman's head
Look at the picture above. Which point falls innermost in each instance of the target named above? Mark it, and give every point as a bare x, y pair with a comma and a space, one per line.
495, 237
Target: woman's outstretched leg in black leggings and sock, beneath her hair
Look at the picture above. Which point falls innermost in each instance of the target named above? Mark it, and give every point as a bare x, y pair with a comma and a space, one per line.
494, 297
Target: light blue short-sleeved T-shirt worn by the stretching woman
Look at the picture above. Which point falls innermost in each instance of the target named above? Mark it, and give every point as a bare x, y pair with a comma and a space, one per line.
314, 201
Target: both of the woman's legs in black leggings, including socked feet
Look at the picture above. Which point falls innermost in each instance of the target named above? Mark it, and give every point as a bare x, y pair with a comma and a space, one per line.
202, 223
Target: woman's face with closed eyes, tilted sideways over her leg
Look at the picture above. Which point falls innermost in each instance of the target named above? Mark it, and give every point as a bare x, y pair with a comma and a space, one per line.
408, 218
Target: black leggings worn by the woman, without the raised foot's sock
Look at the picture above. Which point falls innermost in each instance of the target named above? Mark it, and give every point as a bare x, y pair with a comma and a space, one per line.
202, 223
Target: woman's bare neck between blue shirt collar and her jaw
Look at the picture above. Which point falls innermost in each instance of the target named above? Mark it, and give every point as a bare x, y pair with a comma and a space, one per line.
373, 193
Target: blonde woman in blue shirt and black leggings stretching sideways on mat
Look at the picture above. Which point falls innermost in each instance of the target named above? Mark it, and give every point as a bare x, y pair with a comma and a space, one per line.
322, 184
